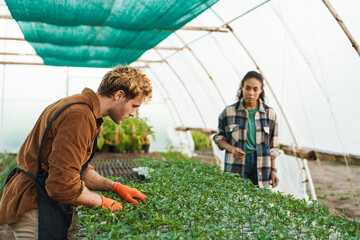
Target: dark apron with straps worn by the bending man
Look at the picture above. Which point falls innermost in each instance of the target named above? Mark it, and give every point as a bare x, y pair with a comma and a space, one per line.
54, 217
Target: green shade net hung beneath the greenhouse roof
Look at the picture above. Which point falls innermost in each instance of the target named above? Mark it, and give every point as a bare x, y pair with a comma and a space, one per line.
100, 33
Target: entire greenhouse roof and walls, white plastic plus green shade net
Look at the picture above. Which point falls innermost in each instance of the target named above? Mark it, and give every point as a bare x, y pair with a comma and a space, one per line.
195, 53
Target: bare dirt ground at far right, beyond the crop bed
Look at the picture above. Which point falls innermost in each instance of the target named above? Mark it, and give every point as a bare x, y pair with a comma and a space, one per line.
337, 186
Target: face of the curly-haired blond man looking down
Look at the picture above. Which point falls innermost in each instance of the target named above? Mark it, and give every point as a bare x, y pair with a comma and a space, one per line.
123, 108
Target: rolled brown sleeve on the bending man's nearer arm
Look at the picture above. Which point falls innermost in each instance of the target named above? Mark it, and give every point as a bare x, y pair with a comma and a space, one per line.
71, 148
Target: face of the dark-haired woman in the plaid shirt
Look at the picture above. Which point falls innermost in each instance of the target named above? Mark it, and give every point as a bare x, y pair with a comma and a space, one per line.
251, 91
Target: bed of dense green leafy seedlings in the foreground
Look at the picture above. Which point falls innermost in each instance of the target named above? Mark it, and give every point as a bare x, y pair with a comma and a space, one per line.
187, 200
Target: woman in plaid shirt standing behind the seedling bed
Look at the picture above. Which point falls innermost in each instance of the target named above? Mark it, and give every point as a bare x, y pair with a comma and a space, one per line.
248, 131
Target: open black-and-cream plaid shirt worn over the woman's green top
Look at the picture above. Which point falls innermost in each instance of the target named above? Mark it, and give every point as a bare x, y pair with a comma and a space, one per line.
232, 129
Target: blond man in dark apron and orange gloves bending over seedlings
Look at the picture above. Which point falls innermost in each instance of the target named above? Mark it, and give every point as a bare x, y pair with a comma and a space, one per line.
53, 172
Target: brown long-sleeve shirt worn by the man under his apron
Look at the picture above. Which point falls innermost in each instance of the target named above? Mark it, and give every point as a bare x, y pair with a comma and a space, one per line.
67, 147
